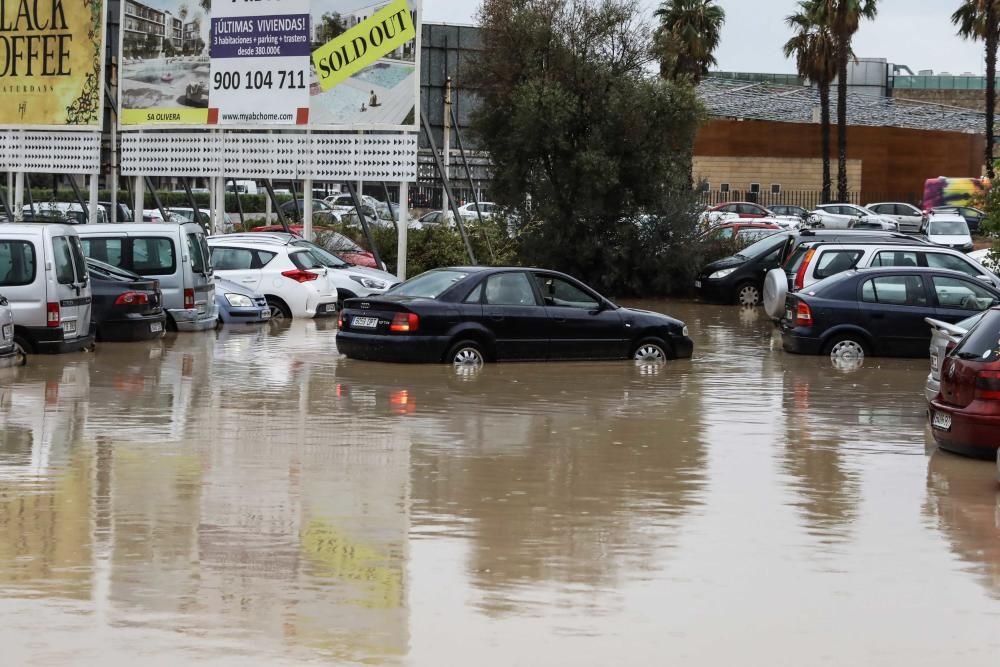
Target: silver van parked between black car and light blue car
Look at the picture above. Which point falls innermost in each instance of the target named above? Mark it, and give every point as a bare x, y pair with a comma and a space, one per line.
176, 254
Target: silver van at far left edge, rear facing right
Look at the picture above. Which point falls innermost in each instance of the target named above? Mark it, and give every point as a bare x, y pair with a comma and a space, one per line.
43, 275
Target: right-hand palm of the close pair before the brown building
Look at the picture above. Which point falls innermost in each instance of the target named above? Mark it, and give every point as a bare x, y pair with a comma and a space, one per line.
843, 18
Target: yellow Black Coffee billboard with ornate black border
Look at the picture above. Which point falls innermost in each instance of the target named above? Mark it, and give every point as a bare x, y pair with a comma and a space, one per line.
51, 64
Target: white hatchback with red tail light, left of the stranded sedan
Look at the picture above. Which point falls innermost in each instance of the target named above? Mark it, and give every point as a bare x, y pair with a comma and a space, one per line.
293, 280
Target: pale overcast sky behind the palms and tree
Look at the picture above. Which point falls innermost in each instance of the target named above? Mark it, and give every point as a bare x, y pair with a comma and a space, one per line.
917, 33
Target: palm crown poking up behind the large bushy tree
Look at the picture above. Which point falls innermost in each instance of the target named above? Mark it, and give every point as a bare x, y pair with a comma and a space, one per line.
688, 35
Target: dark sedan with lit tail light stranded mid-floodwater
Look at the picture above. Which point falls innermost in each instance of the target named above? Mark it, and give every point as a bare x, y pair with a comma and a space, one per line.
477, 314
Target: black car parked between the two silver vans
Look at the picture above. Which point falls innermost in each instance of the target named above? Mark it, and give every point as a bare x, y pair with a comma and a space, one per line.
127, 307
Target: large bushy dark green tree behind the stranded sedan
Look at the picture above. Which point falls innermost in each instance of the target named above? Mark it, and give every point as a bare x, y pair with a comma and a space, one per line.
585, 144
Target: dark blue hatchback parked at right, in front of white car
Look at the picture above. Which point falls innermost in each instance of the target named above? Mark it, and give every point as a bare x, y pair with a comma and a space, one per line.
880, 312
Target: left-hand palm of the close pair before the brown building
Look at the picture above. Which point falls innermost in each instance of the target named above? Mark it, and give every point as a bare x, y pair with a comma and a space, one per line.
815, 50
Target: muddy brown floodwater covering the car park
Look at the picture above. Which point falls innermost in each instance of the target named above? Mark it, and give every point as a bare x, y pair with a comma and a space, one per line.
250, 498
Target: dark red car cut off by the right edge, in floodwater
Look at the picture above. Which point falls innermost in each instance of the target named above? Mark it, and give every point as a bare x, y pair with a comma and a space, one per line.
965, 417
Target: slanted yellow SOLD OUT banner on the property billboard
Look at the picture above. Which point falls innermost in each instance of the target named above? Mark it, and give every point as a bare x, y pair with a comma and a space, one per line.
364, 44
